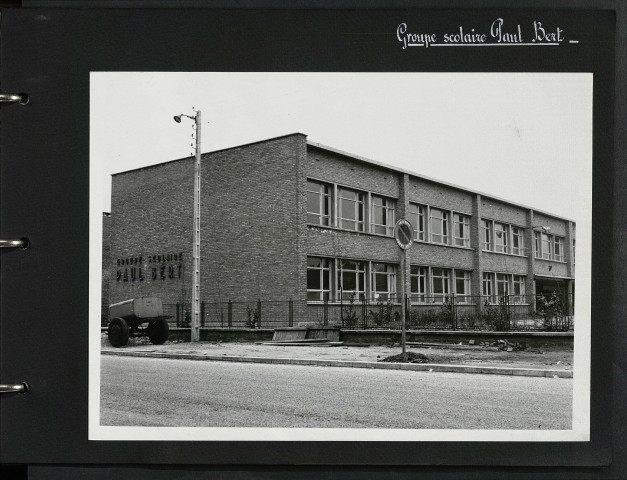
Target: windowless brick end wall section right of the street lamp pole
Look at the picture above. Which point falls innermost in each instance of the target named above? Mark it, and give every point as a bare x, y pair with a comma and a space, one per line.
253, 218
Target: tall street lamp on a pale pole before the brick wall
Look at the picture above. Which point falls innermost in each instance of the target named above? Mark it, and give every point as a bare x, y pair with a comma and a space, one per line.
195, 321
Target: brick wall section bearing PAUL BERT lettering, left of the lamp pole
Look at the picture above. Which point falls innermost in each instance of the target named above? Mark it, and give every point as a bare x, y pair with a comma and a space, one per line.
151, 226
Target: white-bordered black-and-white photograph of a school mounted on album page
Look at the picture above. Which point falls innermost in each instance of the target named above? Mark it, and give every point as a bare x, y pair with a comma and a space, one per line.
340, 256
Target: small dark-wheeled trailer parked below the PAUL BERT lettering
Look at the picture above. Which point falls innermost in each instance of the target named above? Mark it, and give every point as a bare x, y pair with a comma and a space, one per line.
128, 316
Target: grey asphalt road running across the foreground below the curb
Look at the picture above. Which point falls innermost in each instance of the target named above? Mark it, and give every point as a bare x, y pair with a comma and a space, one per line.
160, 392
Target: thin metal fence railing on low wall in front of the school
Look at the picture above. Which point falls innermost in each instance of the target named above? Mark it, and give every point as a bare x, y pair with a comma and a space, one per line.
509, 312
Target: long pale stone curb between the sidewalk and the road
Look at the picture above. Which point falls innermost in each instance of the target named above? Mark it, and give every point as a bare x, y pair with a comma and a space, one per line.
419, 367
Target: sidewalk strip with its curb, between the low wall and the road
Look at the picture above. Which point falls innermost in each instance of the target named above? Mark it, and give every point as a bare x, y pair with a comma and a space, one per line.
461, 359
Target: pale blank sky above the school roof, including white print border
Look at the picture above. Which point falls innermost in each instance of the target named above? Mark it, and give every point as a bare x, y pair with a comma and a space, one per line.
524, 137
